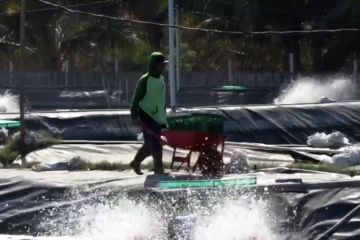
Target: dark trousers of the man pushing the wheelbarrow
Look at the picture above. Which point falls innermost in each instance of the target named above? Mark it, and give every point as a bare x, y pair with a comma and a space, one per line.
152, 145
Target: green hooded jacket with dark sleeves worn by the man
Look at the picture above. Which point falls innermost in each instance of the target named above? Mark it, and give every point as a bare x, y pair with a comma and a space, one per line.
150, 93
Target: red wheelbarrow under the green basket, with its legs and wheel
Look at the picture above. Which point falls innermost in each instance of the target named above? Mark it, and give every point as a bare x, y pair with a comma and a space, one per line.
210, 147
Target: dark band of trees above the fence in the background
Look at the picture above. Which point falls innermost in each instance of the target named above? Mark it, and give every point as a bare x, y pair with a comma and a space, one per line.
54, 36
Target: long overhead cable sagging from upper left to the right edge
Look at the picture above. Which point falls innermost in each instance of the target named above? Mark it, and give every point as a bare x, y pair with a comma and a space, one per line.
134, 21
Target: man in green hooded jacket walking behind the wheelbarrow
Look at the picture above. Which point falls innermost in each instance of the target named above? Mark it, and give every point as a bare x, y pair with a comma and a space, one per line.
148, 108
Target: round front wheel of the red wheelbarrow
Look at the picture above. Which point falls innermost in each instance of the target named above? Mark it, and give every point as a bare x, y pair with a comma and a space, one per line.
210, 162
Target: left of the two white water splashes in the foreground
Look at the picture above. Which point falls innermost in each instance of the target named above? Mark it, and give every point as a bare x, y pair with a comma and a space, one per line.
122, 220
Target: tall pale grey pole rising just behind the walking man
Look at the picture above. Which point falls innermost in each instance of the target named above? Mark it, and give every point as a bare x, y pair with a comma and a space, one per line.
172, 55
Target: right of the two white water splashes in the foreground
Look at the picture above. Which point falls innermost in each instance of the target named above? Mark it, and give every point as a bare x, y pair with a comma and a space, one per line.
237, 220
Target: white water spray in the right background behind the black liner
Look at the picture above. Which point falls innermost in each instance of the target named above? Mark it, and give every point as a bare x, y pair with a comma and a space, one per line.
311, 90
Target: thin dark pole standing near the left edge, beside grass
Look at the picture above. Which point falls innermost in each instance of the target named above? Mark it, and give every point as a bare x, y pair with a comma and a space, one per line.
22, 84
